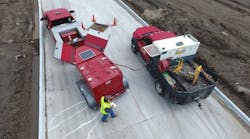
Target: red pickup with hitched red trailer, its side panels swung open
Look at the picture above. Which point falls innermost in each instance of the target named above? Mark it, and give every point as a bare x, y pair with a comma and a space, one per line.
84, 48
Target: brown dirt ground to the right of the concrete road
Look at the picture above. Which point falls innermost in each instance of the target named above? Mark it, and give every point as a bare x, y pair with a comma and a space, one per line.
223, 28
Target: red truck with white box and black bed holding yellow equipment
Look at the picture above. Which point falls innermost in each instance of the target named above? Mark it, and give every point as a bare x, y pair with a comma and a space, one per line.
169, 59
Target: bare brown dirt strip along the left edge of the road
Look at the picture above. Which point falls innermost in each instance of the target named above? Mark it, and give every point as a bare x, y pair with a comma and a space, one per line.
17, 48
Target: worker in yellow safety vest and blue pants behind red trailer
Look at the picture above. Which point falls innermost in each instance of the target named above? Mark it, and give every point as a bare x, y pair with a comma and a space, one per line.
106, 108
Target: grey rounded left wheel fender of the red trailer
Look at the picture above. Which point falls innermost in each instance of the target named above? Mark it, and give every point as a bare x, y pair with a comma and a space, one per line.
87, 94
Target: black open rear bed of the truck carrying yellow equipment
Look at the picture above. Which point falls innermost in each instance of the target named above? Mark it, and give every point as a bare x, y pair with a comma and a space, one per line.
179, 88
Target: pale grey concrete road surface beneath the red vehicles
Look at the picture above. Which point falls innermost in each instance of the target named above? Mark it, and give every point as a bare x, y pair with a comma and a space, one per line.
142, 113
